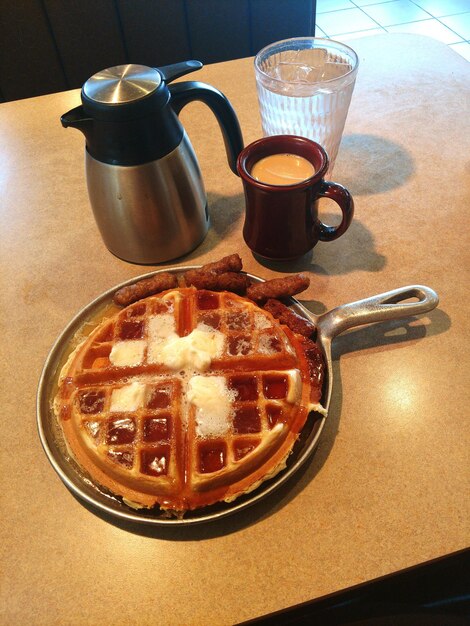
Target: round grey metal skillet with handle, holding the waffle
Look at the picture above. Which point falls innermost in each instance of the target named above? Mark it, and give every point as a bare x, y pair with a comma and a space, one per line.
387, 306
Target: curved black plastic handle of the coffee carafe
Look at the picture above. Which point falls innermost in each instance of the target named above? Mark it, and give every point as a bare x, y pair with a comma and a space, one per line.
183, 93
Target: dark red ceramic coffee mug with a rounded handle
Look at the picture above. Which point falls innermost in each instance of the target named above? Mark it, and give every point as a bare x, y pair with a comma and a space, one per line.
281, 221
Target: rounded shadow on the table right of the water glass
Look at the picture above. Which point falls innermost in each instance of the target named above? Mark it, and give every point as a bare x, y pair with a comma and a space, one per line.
373, 164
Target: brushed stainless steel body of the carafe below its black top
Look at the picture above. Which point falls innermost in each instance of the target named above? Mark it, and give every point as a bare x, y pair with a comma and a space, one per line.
152, 212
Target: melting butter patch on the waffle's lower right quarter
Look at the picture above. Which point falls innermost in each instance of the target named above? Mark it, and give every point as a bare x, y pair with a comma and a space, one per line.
213, 401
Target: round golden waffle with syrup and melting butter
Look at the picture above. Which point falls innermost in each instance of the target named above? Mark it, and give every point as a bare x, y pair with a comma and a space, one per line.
186, 398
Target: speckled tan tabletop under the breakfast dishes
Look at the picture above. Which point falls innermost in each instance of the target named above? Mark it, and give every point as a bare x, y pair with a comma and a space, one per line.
388, 486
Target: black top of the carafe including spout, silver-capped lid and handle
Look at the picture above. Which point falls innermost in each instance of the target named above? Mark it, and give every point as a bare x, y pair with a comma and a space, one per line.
129, 115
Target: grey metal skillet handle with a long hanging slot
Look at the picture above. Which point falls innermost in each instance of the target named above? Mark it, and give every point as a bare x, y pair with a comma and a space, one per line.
385, 306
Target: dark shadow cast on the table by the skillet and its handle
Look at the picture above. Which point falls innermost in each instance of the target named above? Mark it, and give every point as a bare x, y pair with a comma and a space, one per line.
375, 336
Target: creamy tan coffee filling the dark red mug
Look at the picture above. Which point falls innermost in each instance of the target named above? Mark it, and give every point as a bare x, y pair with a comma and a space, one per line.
282, 169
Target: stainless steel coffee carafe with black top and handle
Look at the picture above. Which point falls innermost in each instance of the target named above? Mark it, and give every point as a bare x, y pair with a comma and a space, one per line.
143, 178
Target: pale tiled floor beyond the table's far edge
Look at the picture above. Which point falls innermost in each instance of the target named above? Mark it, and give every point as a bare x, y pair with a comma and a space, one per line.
447, 20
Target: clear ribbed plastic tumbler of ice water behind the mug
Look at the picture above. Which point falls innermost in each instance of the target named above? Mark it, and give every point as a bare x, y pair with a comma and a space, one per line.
304, 88
